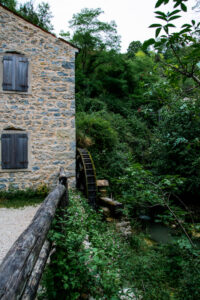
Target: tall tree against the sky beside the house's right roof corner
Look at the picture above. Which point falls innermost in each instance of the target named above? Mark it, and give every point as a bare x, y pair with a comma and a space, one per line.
97, 40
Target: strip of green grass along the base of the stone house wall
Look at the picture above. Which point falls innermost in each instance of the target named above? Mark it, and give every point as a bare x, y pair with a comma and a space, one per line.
21, 198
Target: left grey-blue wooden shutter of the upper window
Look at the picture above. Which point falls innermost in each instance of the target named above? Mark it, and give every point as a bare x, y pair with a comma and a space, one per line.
8, 73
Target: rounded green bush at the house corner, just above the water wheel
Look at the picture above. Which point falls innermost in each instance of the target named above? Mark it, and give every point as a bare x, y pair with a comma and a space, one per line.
101, 138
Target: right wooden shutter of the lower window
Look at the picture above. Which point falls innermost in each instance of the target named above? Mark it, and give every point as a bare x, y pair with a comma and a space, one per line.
21, 146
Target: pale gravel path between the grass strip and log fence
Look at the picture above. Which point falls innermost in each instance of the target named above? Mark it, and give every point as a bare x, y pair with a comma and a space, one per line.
12, 223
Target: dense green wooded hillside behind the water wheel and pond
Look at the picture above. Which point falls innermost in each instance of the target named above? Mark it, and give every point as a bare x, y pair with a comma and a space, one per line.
135, 107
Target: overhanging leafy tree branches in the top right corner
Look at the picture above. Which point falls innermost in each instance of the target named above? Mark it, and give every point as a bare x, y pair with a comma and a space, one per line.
184, 45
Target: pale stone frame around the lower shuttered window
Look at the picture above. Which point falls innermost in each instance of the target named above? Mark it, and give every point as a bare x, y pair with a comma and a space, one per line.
29, 167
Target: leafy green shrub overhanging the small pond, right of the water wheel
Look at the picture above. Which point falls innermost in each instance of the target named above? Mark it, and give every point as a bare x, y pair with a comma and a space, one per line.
141, 191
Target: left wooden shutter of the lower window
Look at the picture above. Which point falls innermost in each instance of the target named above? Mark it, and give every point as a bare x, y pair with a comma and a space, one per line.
6, 151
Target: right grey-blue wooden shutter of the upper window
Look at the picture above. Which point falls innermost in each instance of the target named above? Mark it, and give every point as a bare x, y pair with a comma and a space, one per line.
21, 78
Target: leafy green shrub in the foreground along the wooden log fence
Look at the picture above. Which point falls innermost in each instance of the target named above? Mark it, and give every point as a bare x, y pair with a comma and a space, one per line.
88, 258
